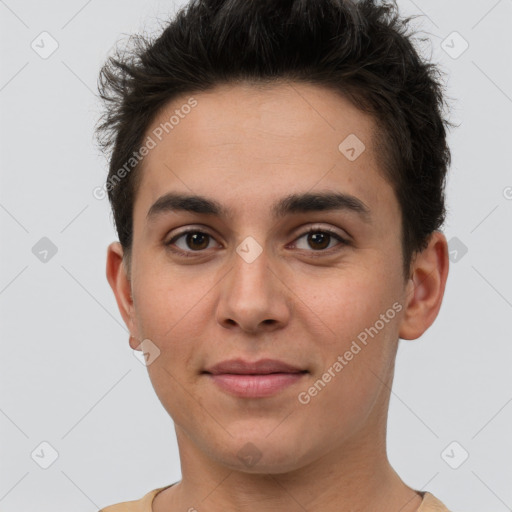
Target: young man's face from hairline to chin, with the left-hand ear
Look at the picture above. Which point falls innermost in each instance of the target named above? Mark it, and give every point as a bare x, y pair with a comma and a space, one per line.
250, 282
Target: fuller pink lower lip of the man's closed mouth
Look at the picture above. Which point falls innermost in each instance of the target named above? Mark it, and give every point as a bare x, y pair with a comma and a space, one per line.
255, 386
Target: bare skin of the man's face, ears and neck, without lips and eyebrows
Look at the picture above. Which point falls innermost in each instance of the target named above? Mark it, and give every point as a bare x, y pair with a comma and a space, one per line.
246, 147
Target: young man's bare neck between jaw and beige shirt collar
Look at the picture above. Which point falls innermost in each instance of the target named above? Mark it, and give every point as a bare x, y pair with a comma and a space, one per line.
354, 476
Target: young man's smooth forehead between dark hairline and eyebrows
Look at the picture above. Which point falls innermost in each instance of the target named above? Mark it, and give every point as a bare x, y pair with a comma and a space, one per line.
249, 142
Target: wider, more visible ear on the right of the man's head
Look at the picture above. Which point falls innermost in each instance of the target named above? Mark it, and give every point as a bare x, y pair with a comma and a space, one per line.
425, 289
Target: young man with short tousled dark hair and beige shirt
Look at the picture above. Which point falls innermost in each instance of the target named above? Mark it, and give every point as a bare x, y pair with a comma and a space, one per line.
277, 181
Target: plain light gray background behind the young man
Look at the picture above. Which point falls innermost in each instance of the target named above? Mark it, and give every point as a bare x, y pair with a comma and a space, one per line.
68, 375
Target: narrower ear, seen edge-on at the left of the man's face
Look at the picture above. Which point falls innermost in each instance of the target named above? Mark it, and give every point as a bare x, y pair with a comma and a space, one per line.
120, 283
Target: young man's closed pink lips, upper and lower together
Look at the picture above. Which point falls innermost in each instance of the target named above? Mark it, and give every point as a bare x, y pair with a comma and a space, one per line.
258, 379
